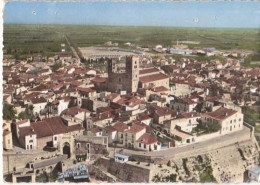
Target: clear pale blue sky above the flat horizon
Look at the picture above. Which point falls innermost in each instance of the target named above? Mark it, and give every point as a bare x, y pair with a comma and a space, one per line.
173, 14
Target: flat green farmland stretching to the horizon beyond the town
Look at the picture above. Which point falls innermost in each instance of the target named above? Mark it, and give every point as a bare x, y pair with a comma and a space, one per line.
46, 39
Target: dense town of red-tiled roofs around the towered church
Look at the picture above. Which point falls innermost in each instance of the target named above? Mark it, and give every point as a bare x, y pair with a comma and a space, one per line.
143, 116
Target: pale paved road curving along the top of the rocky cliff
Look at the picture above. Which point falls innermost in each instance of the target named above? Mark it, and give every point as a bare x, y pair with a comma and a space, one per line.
196, 146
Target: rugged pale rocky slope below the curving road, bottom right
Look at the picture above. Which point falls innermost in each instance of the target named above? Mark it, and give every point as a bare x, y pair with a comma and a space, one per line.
227, 164
